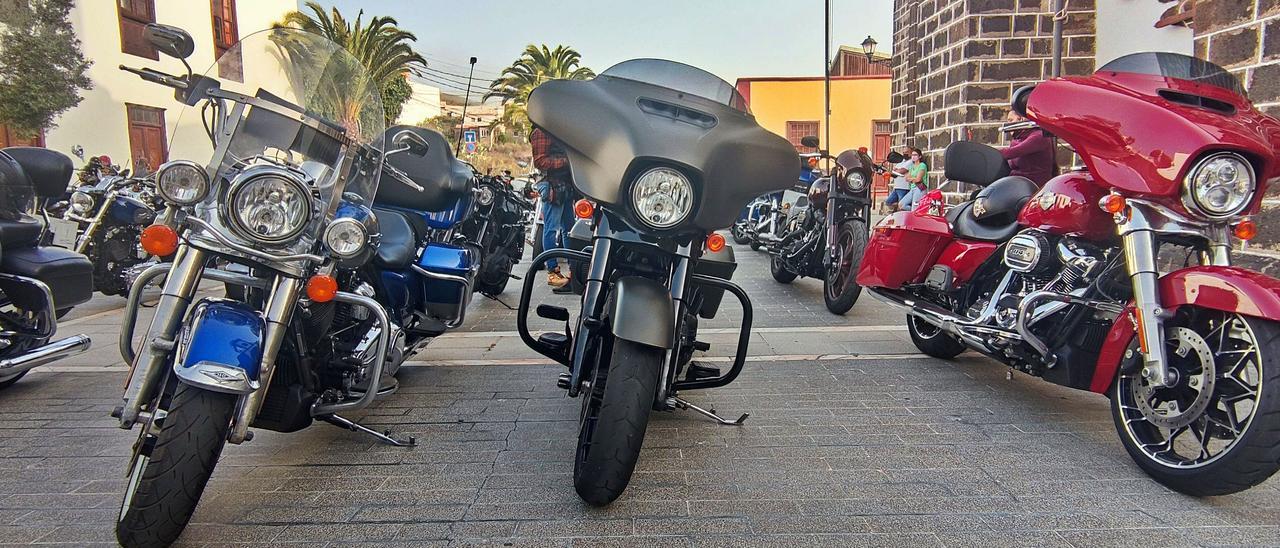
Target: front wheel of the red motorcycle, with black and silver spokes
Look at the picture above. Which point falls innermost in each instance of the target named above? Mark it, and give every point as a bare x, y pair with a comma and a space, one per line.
1215, 431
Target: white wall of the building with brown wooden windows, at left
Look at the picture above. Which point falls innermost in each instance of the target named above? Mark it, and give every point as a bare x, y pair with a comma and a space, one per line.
99, 124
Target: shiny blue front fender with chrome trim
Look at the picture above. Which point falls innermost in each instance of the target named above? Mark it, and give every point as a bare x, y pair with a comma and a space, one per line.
221, 348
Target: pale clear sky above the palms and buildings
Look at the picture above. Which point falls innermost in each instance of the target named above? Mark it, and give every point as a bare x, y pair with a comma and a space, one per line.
732, 39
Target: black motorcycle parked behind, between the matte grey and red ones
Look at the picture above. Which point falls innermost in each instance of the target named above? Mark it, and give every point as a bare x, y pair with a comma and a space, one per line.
828, 239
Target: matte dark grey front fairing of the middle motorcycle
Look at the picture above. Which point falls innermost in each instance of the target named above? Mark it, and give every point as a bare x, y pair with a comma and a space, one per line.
615, 127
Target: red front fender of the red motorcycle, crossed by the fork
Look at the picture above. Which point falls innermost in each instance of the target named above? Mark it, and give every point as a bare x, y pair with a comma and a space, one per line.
1226, 289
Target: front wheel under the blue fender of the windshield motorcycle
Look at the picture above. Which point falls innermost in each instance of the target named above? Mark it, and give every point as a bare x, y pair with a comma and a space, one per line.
179, 453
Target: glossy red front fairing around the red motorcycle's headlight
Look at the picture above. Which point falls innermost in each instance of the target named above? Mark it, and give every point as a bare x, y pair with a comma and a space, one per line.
1142, 144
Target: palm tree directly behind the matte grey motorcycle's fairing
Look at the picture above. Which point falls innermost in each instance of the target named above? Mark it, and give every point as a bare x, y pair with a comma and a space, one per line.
534, 67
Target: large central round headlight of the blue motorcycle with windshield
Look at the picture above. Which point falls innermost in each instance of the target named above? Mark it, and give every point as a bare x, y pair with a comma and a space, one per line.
271, 208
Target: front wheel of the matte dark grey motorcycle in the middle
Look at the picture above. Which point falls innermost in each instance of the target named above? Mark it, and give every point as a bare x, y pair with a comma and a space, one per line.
615, 417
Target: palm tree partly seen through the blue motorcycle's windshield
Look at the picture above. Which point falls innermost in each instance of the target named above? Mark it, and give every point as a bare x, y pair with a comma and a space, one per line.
381, 47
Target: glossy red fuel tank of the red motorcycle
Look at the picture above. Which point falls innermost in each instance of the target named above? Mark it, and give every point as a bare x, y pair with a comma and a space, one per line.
1068, 205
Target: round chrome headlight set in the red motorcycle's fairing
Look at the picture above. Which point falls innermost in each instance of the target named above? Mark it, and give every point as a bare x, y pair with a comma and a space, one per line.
1219, 186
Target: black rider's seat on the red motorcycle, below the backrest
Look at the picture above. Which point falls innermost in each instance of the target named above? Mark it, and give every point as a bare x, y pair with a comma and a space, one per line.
993, 217
